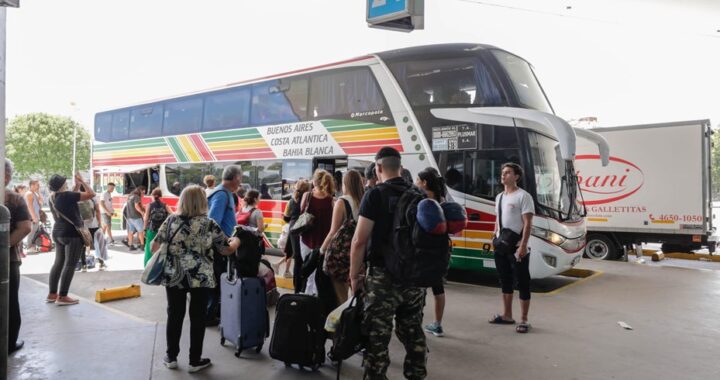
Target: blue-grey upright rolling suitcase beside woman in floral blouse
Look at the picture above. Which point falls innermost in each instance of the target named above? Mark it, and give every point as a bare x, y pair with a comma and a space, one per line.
244, 318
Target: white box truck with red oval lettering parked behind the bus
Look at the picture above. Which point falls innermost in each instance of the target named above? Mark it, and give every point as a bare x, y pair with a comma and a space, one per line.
656, 188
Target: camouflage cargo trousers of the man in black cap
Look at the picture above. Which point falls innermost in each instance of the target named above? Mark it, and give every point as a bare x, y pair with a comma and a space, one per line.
383, 301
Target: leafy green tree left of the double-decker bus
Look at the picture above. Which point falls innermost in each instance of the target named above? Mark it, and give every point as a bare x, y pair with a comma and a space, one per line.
41, 144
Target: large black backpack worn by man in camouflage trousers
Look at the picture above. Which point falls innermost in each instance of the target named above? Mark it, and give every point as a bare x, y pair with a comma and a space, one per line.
416, 258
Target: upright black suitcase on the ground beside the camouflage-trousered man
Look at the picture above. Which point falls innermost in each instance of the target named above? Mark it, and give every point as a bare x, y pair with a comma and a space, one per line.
298, 334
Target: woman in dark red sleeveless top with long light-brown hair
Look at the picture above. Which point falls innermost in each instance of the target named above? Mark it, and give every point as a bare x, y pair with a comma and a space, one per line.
318, 202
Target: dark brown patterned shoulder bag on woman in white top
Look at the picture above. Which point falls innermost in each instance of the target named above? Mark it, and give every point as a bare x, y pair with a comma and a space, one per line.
337, 255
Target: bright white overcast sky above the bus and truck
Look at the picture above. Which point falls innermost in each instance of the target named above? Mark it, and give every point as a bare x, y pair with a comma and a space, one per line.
625, 62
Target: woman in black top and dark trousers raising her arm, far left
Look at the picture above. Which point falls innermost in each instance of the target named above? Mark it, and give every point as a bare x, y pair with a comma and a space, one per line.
69, 244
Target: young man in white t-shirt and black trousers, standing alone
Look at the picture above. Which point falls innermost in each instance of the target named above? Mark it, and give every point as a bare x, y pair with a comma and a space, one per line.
517, 212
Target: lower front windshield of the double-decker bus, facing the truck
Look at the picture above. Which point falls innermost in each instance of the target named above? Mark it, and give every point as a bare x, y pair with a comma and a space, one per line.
555, 180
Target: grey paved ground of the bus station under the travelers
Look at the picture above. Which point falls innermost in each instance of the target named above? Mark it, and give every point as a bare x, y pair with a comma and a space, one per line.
673, 312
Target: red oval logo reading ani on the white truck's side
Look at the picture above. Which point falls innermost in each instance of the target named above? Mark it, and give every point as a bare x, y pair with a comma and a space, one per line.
600, 185
